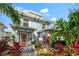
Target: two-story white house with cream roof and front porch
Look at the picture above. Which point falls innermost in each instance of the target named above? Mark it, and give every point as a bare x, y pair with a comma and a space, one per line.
29, 22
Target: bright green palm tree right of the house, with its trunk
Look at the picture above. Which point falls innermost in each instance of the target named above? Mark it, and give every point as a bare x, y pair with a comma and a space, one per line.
62, 29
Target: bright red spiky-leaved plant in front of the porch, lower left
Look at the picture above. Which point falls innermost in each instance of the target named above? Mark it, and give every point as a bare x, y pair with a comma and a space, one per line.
15, 49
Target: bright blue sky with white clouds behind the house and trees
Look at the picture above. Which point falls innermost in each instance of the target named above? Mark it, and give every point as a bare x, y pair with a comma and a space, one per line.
50, 11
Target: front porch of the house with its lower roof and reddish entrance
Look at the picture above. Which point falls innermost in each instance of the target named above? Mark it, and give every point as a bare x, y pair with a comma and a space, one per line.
24, 33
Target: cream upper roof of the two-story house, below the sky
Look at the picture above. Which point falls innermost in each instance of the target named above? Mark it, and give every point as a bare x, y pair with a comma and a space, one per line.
32, 14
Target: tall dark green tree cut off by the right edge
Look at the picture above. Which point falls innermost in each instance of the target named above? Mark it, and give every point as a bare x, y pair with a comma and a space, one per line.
74, 22
